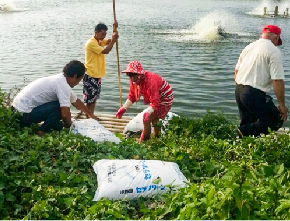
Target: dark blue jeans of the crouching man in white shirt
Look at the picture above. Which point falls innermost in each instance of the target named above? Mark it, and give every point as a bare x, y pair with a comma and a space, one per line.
49, 113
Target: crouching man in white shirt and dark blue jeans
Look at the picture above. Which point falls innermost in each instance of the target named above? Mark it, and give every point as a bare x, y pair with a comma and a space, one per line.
48, 99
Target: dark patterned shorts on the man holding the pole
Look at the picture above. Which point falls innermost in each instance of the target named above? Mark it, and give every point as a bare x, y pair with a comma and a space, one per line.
91, 89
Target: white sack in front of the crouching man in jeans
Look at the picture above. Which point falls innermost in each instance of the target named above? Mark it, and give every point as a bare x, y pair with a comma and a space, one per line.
93, 129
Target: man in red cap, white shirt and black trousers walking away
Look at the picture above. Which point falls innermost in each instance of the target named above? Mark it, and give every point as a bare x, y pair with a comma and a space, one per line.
258, 69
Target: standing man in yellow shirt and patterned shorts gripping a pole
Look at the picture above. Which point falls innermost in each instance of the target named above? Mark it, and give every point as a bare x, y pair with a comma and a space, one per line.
95, 49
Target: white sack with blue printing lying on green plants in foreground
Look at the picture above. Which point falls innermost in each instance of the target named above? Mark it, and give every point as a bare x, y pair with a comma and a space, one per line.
134, 178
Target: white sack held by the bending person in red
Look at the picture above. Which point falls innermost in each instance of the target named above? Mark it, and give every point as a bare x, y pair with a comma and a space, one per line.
136, 124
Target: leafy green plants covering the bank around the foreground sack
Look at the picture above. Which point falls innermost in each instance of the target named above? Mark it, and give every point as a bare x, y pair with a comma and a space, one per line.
52, 177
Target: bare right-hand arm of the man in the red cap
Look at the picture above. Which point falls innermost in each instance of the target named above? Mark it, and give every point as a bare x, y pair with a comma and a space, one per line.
279, 89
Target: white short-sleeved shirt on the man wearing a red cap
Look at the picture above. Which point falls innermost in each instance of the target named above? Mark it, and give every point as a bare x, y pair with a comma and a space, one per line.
259, 63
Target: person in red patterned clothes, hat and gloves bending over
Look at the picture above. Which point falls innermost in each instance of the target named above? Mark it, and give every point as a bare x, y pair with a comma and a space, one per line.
156, 92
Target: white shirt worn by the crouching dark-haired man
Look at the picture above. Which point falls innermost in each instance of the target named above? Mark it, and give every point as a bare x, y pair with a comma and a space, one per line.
44, 90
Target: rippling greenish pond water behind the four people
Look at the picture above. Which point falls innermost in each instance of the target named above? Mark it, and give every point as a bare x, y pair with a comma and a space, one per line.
178, 40
